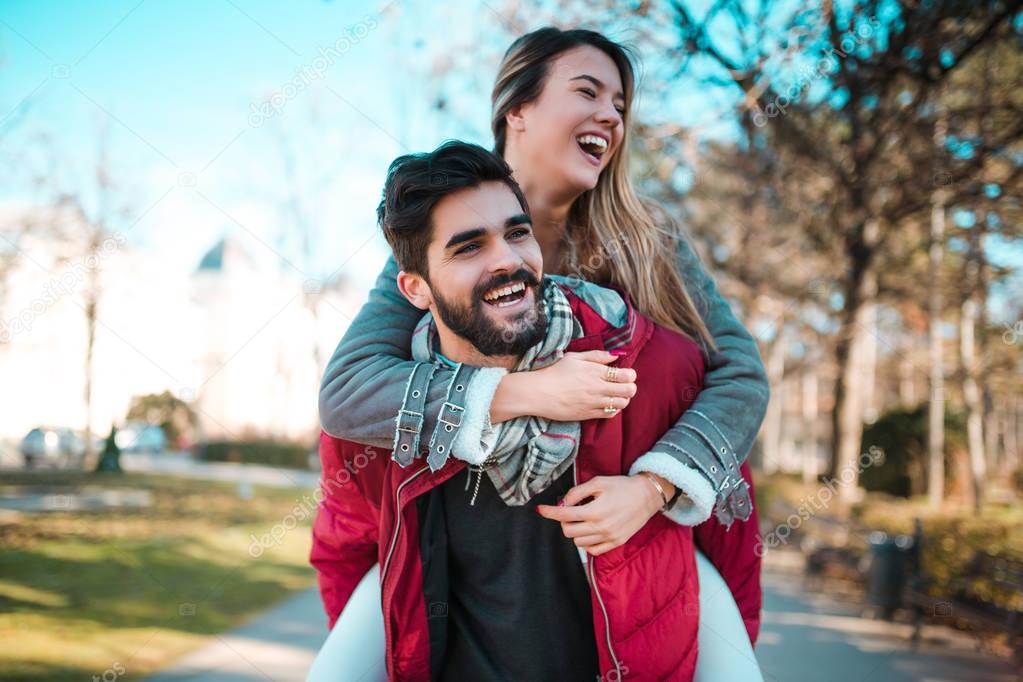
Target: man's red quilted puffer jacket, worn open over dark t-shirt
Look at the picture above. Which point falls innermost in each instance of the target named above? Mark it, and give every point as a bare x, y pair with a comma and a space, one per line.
644, 595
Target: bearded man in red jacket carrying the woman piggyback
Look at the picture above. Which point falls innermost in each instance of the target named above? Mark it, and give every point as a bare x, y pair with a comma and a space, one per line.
476, 584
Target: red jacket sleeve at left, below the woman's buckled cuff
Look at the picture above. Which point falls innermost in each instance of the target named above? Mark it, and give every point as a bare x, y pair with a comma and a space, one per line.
345, 531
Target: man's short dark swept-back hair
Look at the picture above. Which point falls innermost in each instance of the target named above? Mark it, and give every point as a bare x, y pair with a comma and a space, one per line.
416, 184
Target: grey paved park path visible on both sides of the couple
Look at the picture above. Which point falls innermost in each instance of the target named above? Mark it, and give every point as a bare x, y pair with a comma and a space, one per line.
807, 638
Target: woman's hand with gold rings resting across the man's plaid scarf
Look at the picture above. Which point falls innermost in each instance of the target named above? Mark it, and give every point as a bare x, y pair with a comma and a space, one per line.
574, 389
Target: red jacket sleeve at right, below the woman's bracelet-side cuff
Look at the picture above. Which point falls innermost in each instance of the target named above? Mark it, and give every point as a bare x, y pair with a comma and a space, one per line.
736, 553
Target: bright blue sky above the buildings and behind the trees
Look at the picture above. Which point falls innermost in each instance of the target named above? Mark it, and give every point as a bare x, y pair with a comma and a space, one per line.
180, 84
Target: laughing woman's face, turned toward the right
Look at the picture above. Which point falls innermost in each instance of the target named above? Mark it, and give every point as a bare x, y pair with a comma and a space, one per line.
571, 132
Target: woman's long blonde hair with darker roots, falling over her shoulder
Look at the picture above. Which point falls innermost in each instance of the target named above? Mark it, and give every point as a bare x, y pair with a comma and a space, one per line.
614, 238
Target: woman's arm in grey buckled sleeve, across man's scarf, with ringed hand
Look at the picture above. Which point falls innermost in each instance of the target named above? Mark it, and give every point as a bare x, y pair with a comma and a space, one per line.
372, 393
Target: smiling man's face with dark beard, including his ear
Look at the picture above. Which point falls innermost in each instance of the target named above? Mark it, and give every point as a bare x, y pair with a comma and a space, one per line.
481, 247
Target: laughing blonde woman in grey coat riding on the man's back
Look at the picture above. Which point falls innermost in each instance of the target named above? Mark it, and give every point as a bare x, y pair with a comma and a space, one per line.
561, 106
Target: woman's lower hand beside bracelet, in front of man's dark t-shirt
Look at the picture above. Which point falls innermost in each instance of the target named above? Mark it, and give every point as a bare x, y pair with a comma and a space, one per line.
621, 506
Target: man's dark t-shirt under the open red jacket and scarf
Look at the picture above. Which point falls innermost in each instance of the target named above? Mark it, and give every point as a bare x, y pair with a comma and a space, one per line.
519, 604
